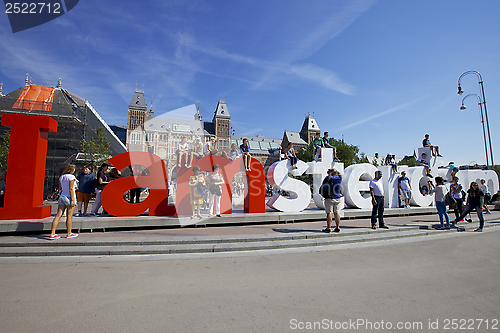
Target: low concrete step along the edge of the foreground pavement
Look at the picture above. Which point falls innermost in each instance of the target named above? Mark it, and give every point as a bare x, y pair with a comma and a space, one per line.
203, 244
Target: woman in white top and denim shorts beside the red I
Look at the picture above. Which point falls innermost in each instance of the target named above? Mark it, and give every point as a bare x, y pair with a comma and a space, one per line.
67, 200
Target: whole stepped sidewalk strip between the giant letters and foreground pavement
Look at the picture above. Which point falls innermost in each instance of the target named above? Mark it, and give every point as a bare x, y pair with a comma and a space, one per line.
226, 238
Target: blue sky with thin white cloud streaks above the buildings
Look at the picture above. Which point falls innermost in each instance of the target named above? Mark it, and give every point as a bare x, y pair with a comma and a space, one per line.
379, 73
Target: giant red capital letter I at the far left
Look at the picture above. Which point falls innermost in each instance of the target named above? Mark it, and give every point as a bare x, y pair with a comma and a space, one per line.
26, 166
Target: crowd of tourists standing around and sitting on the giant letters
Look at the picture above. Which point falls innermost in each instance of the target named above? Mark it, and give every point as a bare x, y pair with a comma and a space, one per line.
206, 189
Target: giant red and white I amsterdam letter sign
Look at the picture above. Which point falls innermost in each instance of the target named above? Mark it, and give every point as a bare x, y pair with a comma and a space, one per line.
26, 172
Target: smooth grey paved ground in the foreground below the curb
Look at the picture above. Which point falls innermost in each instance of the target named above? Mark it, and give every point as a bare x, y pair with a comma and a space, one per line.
412, 283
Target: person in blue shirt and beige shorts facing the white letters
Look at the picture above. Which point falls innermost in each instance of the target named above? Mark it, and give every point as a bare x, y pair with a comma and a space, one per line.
333, 204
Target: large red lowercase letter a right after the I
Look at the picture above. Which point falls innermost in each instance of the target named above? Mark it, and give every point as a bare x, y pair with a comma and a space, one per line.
157, 200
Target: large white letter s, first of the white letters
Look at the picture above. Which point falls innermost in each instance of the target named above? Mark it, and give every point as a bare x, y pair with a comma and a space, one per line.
300, 193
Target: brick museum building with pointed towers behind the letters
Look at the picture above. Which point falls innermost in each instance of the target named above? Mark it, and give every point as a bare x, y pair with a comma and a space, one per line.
161, 135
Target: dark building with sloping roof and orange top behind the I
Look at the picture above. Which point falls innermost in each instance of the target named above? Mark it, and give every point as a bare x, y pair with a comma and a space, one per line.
76, 119
